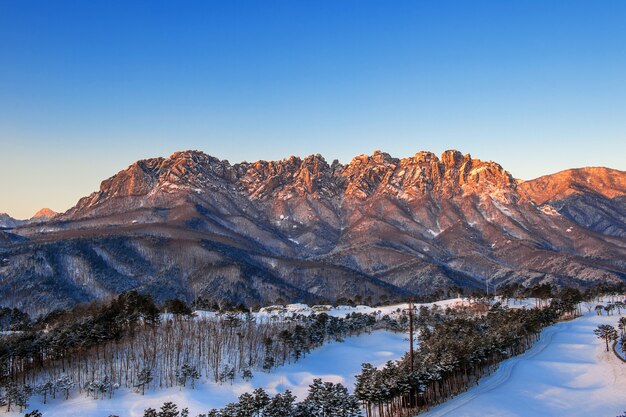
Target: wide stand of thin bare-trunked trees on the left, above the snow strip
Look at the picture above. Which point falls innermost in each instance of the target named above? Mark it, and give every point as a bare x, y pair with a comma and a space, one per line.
130, 343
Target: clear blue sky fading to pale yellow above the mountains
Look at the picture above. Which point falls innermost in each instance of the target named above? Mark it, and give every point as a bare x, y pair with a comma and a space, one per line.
88, 87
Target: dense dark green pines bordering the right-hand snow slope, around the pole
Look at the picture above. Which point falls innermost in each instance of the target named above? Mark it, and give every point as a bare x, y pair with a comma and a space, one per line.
456, 349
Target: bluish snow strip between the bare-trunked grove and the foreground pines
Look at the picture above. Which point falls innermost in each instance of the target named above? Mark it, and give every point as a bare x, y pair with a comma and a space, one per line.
336, 362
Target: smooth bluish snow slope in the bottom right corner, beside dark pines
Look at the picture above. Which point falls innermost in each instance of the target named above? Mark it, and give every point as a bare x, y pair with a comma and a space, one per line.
566, 373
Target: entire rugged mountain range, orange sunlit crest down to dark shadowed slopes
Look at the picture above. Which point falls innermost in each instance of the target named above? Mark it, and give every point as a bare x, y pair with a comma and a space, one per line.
299, 229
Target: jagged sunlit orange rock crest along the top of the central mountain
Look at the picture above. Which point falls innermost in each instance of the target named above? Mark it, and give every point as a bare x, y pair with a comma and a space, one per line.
194, 172
